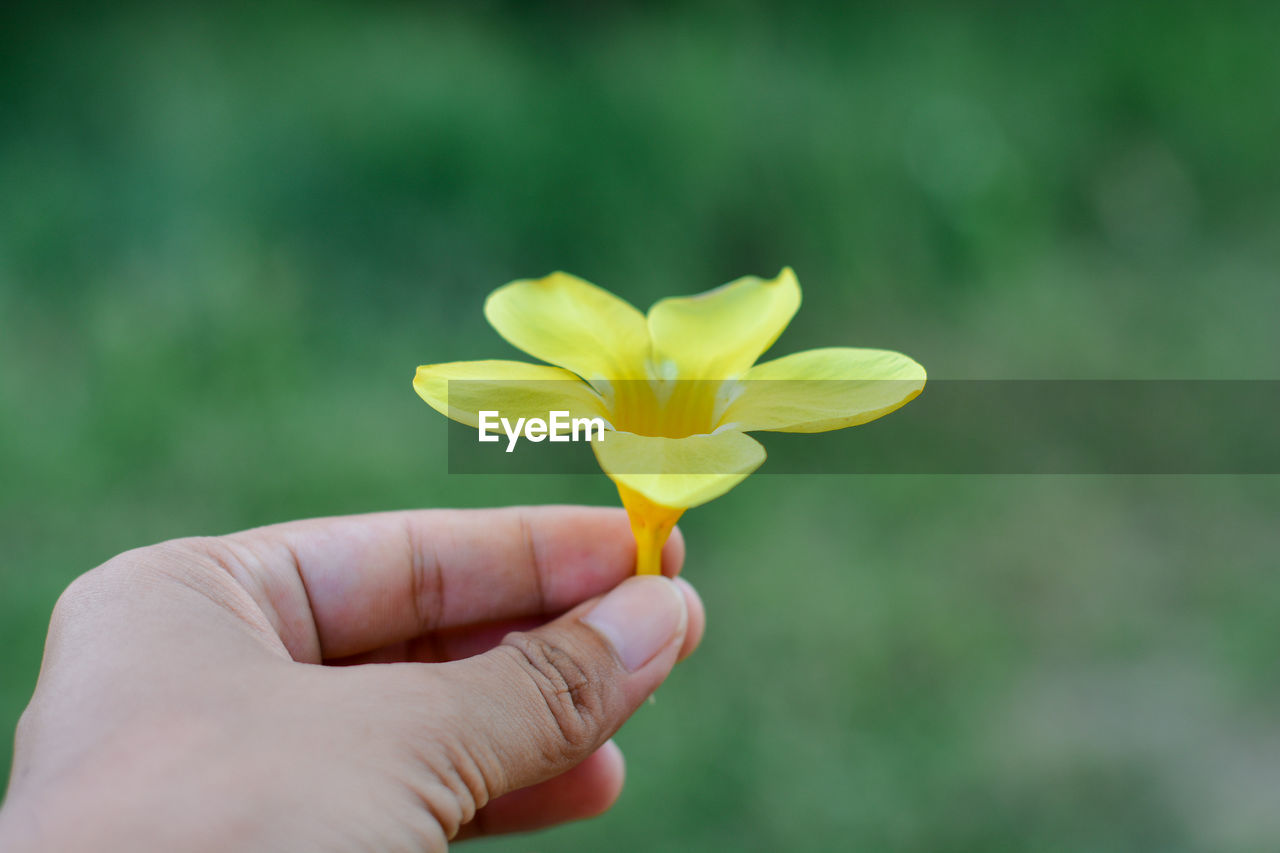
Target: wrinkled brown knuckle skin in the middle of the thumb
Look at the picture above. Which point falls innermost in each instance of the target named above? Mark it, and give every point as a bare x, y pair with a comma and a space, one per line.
575, 701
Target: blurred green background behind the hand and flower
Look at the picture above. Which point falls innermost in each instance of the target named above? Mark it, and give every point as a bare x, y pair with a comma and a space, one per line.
228, 236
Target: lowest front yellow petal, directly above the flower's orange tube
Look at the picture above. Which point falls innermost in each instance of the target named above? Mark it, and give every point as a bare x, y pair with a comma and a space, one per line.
679, 473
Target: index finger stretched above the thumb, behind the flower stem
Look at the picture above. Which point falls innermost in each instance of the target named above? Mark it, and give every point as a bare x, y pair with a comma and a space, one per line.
344, 586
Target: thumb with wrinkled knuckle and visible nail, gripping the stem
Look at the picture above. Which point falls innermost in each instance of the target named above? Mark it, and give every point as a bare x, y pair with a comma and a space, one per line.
543, 701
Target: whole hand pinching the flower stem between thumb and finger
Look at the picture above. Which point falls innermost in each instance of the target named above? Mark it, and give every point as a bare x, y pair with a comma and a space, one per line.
386, 682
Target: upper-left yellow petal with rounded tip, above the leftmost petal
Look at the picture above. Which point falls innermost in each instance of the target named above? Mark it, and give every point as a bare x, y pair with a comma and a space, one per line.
574, 325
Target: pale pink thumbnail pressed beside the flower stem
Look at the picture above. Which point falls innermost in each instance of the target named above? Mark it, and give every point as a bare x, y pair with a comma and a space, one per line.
639, 618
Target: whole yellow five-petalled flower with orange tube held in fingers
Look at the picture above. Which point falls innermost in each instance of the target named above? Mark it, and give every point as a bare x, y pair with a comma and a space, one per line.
679, 387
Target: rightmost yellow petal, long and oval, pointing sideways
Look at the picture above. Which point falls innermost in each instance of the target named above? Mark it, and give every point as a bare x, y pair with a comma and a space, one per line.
821, 390
